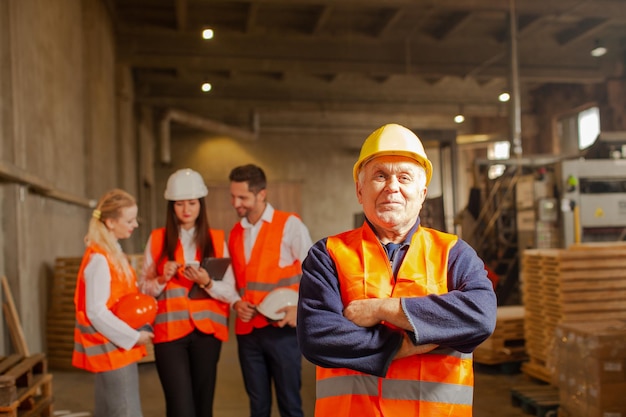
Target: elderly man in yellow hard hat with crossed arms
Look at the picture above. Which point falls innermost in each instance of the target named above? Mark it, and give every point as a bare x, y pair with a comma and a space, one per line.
390, 312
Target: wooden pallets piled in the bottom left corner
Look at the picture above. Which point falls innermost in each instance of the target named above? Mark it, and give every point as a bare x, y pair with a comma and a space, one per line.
25, 386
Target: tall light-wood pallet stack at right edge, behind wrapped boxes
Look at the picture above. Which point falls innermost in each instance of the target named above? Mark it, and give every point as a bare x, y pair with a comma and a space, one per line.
583, 282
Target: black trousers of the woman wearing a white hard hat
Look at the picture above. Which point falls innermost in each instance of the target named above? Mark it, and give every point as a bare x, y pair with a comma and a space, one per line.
187, 369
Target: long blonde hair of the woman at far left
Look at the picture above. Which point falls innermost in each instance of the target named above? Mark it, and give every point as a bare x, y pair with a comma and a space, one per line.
110, 207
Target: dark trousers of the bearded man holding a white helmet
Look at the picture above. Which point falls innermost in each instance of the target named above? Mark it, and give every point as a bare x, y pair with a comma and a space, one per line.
271, 354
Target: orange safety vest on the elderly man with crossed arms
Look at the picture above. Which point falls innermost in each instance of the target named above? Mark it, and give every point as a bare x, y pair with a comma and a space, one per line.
435, 384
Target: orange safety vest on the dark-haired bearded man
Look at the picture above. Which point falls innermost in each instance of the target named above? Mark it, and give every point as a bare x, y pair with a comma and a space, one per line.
261, 274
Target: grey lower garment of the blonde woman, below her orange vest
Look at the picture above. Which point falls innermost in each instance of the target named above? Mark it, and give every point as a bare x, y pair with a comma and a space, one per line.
117, 393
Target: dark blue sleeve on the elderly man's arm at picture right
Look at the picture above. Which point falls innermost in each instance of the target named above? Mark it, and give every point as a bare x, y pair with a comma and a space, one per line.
465, 316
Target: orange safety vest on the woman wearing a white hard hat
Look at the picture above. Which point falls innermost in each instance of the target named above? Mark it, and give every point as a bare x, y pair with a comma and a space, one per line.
177, 314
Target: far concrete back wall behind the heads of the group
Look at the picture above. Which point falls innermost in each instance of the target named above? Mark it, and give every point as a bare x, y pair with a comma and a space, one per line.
323, 168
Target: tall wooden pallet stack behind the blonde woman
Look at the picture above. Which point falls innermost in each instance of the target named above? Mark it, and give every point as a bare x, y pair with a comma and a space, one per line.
61, 314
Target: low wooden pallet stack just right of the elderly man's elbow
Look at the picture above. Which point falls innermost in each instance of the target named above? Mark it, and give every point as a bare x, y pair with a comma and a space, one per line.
506, 344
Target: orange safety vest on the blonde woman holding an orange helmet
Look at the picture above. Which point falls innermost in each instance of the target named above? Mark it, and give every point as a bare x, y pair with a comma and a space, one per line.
92, 351
